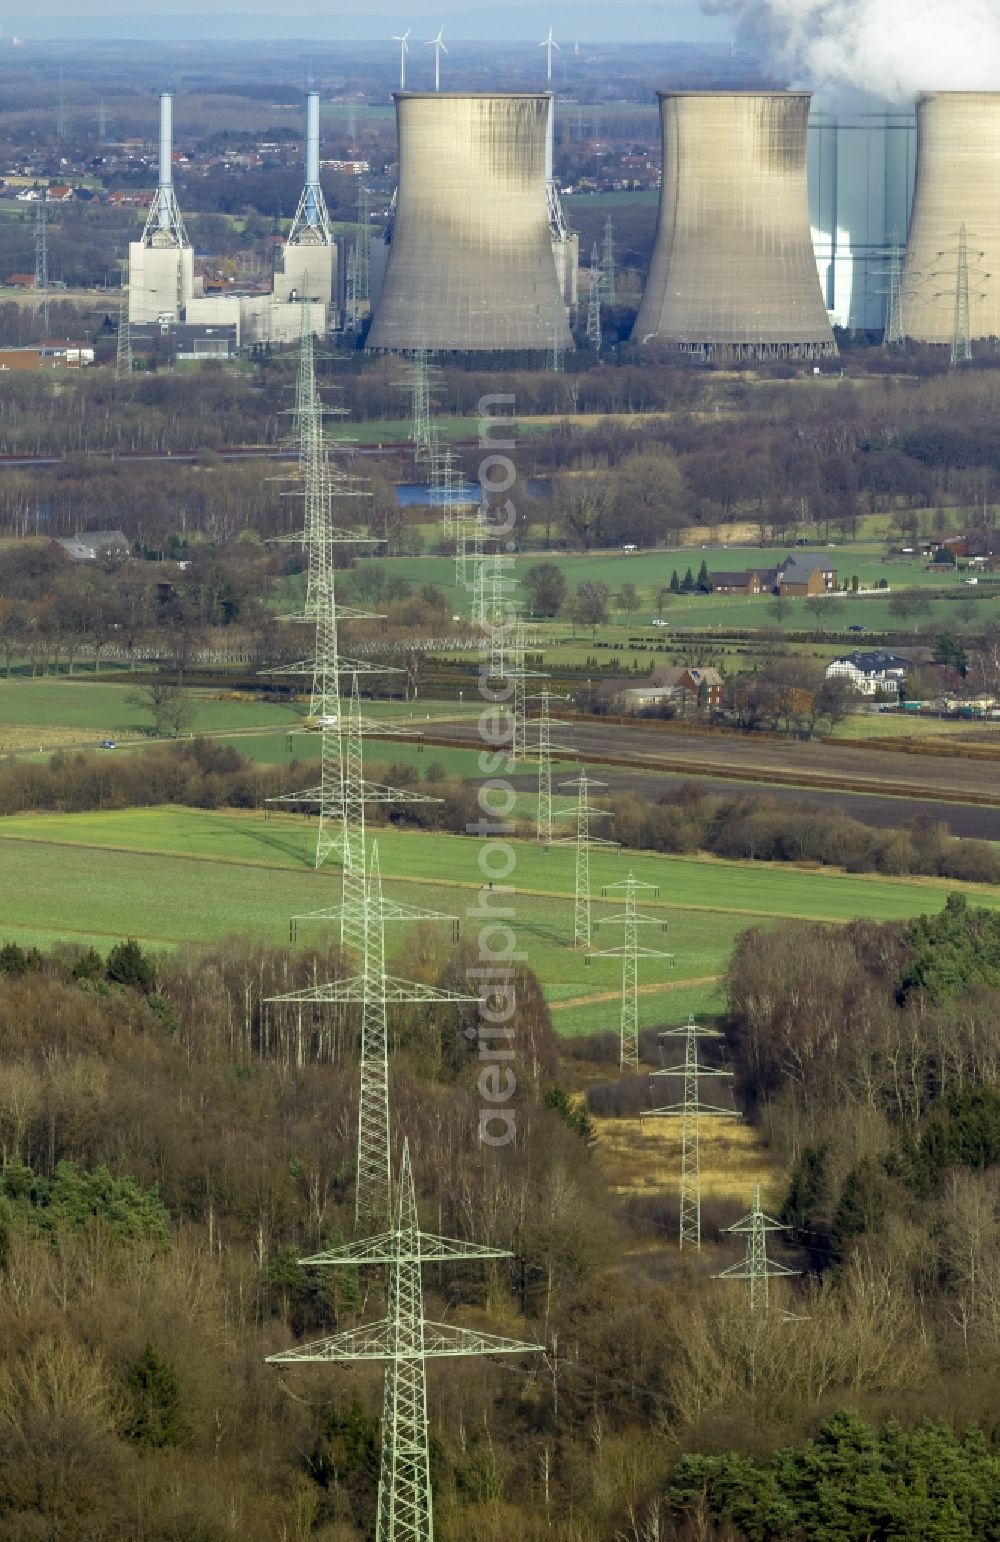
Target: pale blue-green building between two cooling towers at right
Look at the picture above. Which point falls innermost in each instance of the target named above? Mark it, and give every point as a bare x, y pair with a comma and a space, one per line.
861, 195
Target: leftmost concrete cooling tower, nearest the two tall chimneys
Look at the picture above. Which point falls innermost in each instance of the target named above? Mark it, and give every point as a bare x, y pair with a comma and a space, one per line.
471, 264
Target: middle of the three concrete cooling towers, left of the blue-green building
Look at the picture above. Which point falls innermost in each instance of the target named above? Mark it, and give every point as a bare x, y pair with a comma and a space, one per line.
734, 274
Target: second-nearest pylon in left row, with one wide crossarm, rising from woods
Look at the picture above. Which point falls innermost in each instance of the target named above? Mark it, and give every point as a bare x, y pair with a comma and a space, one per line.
375, 991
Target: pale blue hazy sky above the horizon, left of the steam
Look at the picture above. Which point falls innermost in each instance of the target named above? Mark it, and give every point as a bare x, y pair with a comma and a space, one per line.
614, 21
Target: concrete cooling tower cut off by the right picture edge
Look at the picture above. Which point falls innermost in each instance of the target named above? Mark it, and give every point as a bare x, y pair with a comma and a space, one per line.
958, 187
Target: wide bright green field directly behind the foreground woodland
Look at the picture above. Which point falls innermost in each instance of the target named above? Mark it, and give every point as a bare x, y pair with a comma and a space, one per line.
198, 877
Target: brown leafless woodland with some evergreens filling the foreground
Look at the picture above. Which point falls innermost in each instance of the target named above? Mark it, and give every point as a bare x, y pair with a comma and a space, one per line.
152, 1224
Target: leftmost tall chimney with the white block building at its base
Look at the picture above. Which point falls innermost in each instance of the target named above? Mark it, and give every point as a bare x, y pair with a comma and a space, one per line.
161, 266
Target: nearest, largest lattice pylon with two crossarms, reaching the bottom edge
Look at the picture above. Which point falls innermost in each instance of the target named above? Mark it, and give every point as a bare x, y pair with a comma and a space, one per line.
406, 1341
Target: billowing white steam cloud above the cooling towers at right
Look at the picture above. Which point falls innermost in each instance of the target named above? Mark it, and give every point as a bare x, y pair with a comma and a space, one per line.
893, 49
